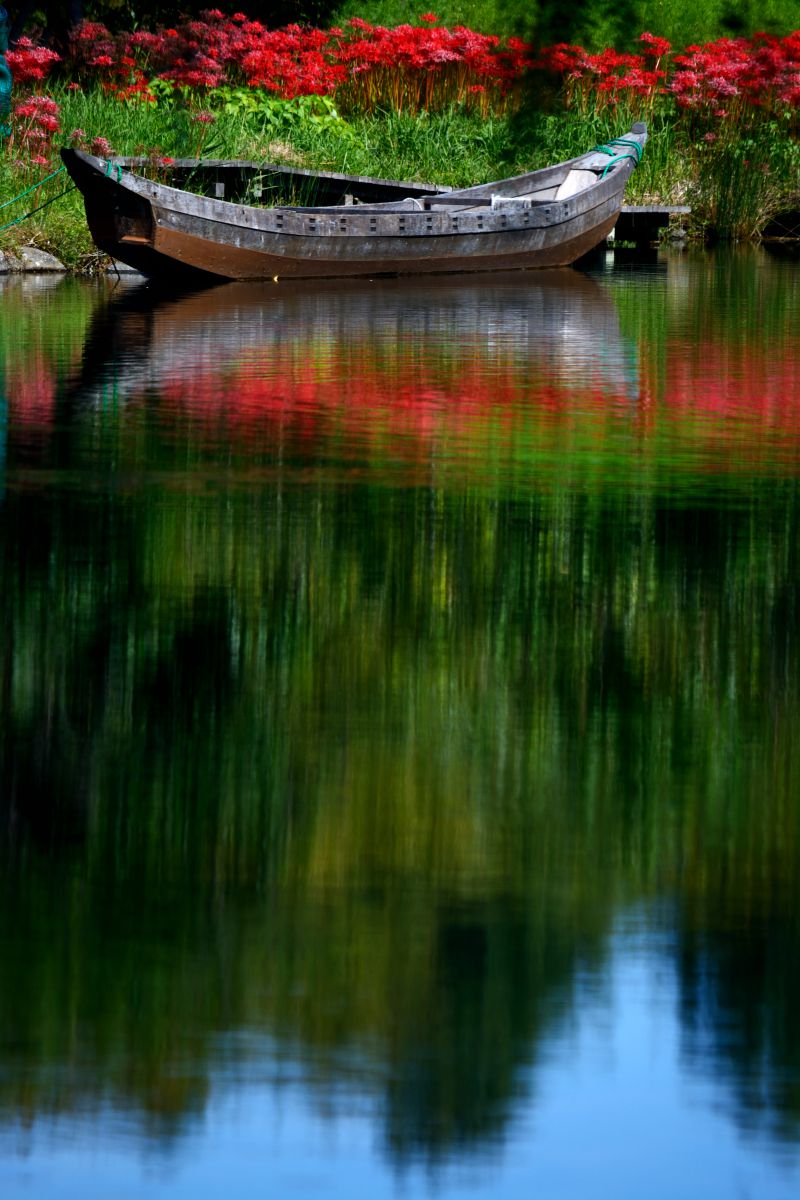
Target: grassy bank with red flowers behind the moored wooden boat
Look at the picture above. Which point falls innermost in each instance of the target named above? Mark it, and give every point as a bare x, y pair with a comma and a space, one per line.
420, 104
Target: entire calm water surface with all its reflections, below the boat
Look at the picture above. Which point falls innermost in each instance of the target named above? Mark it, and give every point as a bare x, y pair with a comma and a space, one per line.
401, 790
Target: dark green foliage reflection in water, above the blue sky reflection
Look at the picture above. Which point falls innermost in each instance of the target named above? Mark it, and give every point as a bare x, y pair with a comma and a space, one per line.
376, 767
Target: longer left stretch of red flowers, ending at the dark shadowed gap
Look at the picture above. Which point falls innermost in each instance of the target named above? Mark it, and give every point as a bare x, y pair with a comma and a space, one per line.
408, 67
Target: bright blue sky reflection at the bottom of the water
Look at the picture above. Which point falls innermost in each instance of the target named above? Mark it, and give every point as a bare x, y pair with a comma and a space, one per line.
612, 1099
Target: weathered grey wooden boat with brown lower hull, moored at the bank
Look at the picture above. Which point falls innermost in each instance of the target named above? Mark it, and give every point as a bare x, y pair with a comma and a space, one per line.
356, 226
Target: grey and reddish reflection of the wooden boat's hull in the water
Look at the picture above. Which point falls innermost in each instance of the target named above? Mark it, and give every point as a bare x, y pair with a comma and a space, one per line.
383, 338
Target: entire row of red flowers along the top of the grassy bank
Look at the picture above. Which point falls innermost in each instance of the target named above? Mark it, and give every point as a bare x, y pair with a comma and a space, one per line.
423, 67
